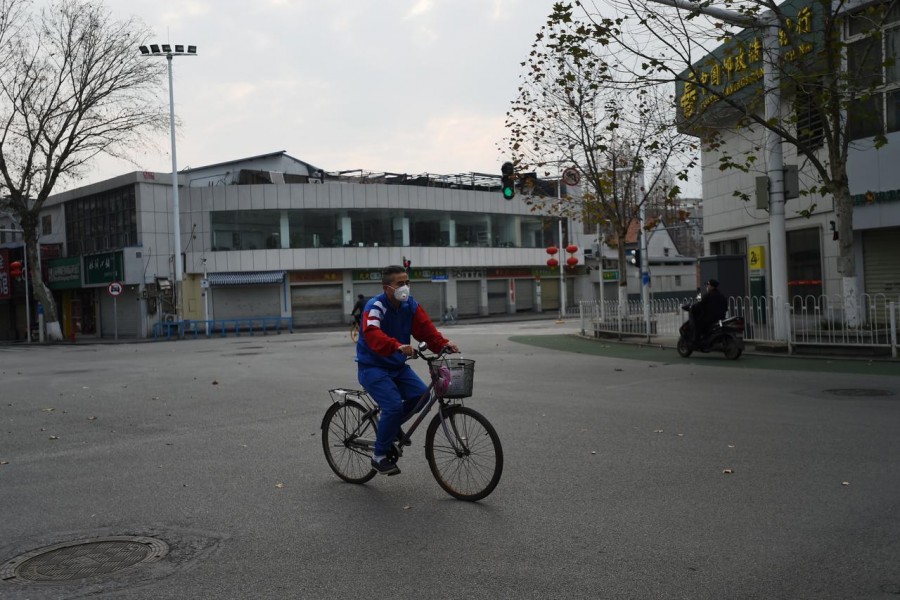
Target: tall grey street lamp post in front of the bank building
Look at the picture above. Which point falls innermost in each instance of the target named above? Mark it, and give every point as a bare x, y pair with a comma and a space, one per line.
774, 157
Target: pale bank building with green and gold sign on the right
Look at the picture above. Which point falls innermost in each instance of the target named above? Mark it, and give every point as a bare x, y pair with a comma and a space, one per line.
735, 226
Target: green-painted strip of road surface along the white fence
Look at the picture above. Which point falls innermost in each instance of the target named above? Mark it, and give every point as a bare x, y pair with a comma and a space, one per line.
783, 362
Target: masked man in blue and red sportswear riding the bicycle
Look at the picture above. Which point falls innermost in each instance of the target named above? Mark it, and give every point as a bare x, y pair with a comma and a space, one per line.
389, 321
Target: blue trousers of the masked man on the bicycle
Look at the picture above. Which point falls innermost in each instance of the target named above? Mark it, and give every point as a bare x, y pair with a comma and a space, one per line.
396, 392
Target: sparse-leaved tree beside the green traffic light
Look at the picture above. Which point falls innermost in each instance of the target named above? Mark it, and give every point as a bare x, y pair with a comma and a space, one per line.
573, 110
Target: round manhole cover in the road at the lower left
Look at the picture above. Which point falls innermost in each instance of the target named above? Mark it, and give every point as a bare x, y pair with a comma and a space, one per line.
81, 559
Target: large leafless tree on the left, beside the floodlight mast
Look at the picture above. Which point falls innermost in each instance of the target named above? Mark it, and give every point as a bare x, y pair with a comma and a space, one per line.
72, 86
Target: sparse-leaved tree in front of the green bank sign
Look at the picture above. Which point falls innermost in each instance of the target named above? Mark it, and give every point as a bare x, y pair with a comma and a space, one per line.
833, 84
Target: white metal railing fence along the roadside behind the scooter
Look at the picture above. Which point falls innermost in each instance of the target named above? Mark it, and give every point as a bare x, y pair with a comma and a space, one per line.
811, 320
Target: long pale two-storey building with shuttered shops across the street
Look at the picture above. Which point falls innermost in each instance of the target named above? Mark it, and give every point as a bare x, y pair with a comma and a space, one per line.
271, 241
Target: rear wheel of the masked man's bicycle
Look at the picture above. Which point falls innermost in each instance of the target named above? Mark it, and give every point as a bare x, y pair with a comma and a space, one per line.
343, 424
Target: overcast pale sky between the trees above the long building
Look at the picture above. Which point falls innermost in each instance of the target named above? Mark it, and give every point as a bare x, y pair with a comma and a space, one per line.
408, 86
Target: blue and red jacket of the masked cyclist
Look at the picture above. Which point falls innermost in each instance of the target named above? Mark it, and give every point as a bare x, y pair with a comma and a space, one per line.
385, 329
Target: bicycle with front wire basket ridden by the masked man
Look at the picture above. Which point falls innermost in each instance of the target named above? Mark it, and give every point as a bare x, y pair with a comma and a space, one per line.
462, 447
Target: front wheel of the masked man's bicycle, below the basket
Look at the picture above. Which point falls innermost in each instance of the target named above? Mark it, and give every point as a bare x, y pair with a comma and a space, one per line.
465, 457
